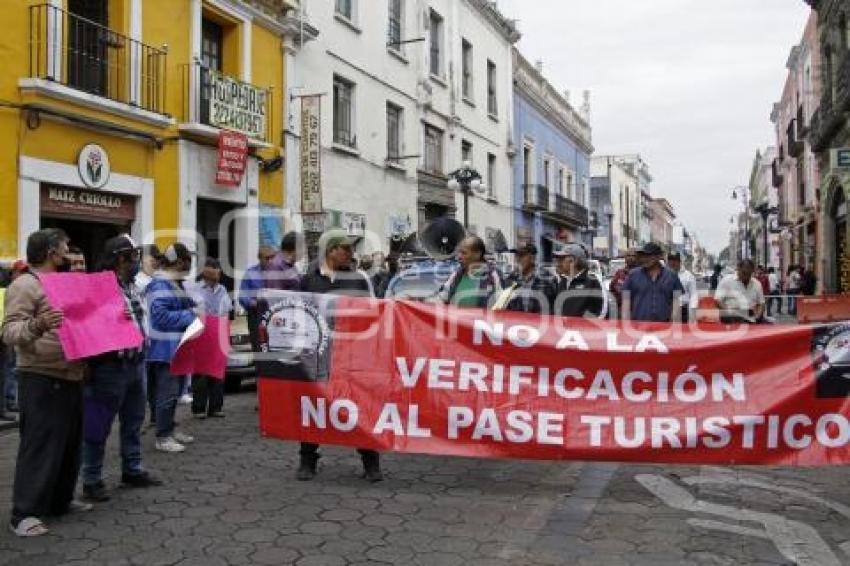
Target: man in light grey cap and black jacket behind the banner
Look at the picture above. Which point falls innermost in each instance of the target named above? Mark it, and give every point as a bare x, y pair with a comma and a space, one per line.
579, 292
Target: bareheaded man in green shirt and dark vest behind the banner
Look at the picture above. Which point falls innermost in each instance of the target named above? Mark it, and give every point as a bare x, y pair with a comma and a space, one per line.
475, 283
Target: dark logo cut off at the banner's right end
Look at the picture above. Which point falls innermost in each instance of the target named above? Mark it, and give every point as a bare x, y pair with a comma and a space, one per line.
831, 351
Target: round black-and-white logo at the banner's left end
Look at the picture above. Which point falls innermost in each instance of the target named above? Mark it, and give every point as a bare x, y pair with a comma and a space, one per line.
295, 335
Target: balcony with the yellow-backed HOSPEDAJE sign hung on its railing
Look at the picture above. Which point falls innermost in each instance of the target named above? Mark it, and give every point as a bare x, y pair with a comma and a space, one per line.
214, 101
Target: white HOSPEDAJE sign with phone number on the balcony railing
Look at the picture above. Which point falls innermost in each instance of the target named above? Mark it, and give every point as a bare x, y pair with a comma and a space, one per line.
237, 106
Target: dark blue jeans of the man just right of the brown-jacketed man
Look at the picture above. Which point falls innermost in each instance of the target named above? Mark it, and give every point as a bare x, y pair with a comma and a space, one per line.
115, 388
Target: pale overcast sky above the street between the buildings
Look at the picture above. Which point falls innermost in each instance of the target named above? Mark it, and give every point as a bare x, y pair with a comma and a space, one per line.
688, 84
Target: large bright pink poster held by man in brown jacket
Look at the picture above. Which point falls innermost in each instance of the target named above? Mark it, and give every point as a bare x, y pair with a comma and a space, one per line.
95, 313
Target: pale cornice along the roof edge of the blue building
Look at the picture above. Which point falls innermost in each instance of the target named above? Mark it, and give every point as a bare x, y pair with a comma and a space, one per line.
534, 87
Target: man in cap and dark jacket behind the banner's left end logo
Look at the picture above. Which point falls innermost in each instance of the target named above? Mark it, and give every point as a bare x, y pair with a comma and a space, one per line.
332, 274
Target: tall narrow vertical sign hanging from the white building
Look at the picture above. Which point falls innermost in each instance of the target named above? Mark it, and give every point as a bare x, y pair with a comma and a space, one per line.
311, 161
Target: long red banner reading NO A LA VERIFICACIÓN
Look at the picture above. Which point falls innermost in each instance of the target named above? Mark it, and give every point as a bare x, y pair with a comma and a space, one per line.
430, 379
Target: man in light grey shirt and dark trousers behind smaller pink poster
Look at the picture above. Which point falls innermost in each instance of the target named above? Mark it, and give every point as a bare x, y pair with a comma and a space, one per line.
209, 294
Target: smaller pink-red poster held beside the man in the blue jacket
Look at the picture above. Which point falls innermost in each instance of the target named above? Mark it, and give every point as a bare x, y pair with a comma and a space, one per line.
205, 354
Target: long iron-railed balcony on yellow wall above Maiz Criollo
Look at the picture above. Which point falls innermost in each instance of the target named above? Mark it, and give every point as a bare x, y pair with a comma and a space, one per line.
72, 57
